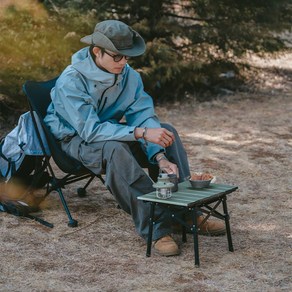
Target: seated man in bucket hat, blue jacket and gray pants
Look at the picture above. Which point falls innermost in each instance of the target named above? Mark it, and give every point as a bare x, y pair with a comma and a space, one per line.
90, 98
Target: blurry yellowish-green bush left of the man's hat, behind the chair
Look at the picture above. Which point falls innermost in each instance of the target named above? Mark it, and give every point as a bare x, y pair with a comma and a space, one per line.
36, 47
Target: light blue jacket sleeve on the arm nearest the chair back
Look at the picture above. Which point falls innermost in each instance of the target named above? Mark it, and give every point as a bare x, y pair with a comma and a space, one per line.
73, 104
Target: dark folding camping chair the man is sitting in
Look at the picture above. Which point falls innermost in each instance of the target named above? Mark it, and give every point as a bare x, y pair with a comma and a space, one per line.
38, 95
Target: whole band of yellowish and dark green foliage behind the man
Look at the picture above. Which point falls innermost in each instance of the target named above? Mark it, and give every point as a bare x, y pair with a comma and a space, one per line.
190, 44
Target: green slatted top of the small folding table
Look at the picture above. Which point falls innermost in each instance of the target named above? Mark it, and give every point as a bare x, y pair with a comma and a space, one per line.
188, 197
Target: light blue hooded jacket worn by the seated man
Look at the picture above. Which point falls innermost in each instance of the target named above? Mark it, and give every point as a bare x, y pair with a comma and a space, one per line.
90, 102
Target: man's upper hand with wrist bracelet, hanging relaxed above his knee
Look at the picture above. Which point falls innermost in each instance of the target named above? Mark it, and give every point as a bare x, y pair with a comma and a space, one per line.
159, 136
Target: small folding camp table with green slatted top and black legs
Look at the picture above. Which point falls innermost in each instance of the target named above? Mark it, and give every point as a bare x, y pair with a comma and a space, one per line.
190, 201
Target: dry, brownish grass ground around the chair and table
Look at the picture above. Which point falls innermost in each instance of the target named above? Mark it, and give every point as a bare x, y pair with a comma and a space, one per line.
244, 140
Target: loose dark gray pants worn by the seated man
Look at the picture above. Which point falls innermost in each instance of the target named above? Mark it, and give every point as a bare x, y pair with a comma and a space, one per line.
123, 163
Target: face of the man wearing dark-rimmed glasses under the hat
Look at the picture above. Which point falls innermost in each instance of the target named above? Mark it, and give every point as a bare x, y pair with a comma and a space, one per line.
107, 61
